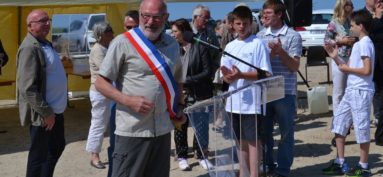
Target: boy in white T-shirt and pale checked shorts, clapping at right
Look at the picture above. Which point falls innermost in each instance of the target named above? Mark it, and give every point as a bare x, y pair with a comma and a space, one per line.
355, 106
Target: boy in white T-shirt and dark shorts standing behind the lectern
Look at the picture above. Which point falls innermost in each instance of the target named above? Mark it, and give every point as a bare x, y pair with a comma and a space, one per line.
245, 105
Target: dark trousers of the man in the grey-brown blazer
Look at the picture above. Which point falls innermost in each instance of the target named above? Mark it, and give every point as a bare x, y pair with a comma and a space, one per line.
46, 148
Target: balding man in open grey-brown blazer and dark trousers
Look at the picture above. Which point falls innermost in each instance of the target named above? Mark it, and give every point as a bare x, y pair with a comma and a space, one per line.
42, 96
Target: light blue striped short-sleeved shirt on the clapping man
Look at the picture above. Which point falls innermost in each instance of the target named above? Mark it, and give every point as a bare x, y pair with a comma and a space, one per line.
292, 44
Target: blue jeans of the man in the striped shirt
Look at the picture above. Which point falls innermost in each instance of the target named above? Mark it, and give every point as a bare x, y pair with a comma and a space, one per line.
282, 111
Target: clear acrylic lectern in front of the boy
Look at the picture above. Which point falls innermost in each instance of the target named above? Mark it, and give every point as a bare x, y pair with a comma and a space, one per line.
212, 124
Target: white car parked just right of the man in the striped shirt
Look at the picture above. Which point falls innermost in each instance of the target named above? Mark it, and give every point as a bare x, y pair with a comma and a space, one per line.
313, 35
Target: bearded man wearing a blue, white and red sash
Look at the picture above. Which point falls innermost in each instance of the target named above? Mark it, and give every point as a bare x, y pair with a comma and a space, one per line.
145, 64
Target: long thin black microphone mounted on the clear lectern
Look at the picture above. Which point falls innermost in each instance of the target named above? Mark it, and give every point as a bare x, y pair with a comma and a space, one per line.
190, 37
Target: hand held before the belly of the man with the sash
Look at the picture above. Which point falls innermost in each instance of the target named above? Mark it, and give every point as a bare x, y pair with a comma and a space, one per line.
140, 104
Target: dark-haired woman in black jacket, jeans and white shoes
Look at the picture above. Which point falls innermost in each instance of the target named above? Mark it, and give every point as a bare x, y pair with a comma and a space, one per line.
198, 86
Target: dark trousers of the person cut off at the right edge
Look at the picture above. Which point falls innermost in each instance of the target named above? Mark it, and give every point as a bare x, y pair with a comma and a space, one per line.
378, 105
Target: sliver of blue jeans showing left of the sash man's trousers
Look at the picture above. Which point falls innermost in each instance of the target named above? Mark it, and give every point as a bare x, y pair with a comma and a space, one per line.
112, 128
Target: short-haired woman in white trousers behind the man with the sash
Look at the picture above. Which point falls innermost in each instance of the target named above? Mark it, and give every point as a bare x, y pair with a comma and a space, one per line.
103, 33
